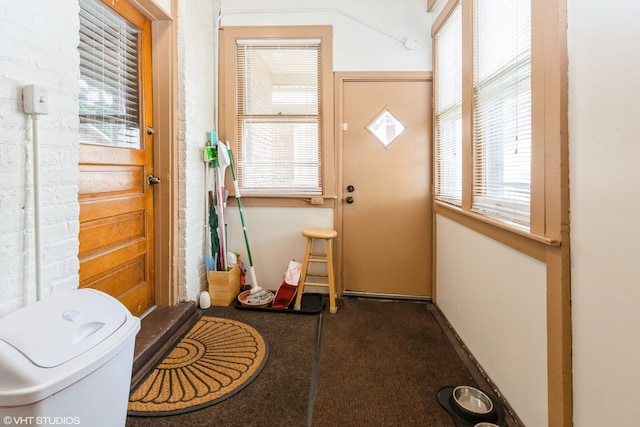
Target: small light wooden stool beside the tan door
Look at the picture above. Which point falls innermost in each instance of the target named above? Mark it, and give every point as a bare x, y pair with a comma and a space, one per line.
326, 258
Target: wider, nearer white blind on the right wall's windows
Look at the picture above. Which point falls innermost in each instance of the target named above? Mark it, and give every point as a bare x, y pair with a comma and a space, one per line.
502, 110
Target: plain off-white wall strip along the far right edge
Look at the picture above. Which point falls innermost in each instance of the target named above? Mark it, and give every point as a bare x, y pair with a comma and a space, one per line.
604, 131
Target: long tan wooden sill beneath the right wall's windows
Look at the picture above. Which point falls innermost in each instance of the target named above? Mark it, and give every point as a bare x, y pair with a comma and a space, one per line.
521, 240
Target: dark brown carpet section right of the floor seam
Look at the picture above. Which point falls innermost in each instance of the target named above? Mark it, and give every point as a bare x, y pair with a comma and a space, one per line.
382, 364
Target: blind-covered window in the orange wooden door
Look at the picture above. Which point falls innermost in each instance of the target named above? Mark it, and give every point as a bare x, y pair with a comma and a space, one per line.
109, 82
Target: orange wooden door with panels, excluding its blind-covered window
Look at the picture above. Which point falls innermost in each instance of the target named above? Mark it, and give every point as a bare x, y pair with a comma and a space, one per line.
116, 201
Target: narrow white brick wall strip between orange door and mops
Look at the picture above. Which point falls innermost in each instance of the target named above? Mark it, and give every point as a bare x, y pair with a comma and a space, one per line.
196, 21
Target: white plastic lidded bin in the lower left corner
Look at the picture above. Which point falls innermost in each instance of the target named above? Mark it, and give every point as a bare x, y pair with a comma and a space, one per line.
67, 360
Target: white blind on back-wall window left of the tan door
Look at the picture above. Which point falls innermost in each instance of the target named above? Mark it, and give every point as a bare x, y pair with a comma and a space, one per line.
279, 120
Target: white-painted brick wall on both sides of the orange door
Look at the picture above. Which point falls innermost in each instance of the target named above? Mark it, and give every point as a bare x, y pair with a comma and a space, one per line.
38, 44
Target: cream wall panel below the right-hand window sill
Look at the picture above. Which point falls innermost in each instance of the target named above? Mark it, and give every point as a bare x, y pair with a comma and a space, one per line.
495, 298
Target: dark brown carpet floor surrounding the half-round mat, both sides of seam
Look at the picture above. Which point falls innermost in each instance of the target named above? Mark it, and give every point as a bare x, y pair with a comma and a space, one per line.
379, 363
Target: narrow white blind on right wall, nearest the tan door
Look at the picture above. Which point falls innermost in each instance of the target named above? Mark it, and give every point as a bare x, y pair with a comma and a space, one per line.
448, 105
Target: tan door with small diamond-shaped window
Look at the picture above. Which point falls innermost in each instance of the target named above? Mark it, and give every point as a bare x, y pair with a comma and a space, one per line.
386, 189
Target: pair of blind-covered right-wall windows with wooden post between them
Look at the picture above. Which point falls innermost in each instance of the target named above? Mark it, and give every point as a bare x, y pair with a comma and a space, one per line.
483, 109
